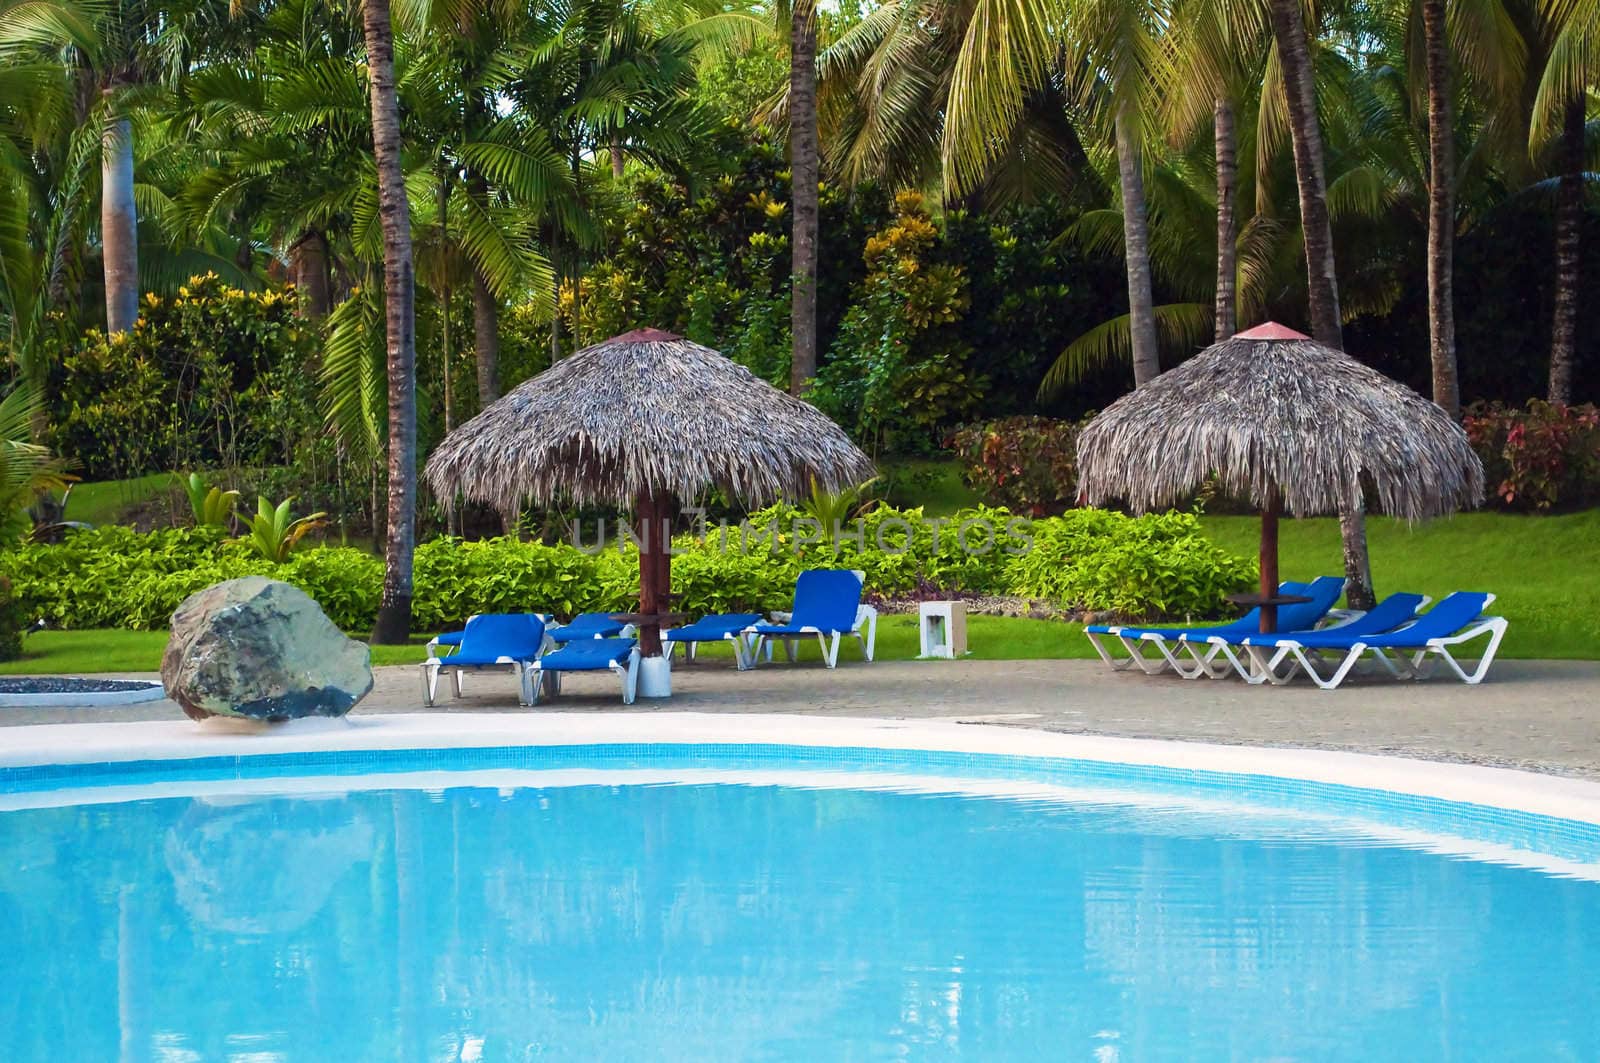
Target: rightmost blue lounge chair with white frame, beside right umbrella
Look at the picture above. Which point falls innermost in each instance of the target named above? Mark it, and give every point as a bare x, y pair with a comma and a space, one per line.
1458, 619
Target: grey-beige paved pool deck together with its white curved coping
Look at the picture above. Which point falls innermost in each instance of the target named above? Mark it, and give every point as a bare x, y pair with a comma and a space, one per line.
1457, 744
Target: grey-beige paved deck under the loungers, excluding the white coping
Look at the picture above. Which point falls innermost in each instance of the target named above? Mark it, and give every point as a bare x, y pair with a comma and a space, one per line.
1540, 716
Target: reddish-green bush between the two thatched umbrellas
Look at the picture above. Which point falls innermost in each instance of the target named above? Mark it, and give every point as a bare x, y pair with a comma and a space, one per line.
1025, 463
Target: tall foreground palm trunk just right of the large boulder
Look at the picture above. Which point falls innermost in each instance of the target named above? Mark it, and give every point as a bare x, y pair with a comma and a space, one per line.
394, 608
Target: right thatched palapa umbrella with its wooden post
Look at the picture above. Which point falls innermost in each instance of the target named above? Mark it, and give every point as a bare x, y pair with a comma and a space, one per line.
1287, 423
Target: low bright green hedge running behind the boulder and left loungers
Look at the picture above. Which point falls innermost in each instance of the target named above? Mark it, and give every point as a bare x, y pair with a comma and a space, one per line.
1156, 566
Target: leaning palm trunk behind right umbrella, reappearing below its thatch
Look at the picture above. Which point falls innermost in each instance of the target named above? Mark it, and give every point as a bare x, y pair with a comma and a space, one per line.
1322, 283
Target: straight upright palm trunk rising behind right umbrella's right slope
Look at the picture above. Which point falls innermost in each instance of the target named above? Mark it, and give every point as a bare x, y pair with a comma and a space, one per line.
1441, 212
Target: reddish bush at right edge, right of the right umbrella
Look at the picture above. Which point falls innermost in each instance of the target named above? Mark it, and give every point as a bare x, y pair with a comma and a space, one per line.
1540, 457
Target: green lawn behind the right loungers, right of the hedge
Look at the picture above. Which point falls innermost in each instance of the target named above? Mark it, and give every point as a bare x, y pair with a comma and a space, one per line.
1543, 571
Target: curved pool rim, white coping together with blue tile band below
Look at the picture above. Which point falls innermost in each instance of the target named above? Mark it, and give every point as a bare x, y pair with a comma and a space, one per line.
1516, 809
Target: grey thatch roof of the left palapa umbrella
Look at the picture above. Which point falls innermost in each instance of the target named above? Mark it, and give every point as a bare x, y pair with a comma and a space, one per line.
644, 412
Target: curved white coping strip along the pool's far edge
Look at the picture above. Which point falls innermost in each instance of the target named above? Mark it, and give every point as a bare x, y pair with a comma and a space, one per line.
62, 745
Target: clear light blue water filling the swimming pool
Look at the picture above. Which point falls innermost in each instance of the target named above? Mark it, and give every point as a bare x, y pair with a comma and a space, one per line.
718, 923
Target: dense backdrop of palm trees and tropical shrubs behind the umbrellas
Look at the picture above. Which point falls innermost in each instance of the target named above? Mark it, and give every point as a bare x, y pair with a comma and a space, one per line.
297, 244
